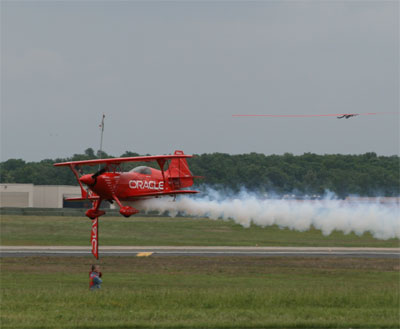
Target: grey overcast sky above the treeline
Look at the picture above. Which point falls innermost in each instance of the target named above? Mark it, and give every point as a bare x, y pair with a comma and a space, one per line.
169, 75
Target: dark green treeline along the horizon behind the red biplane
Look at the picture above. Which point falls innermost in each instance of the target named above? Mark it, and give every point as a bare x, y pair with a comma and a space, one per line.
364, 175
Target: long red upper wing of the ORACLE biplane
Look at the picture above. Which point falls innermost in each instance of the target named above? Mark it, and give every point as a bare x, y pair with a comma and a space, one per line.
120, 160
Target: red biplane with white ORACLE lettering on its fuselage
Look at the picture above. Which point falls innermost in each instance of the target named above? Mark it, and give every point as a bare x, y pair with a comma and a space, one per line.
113, 185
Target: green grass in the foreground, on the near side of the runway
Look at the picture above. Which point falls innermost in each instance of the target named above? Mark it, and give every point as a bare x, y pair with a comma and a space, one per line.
201, 292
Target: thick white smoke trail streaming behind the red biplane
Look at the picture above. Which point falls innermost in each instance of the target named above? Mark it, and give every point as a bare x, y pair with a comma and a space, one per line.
382, 221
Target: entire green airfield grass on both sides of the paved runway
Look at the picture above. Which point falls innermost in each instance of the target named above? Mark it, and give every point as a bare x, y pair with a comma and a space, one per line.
193, 292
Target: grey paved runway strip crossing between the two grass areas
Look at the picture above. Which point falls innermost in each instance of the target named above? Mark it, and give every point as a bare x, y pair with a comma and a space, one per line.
67, 251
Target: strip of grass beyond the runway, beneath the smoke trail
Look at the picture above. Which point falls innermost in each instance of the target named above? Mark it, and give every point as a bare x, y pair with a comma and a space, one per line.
146, 231
